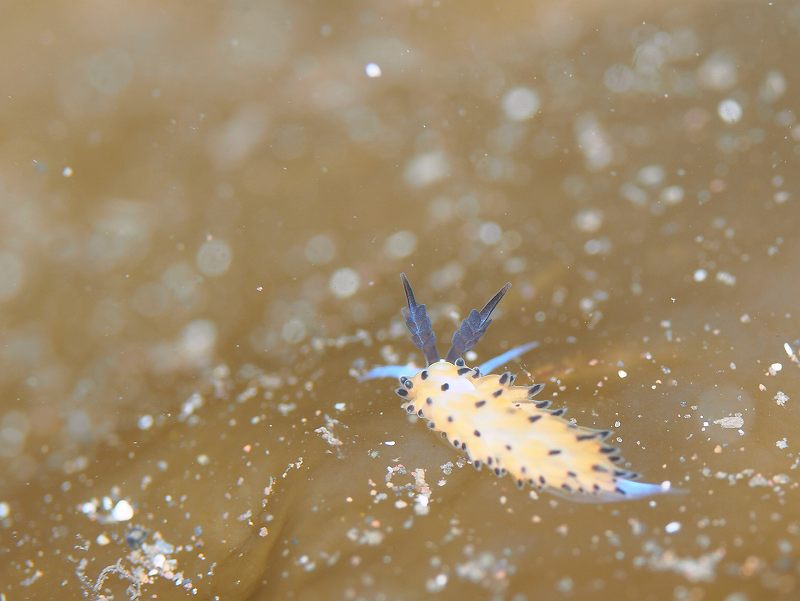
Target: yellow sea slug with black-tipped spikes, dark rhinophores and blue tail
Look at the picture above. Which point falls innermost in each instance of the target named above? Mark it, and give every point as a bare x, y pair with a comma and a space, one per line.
501, 425
